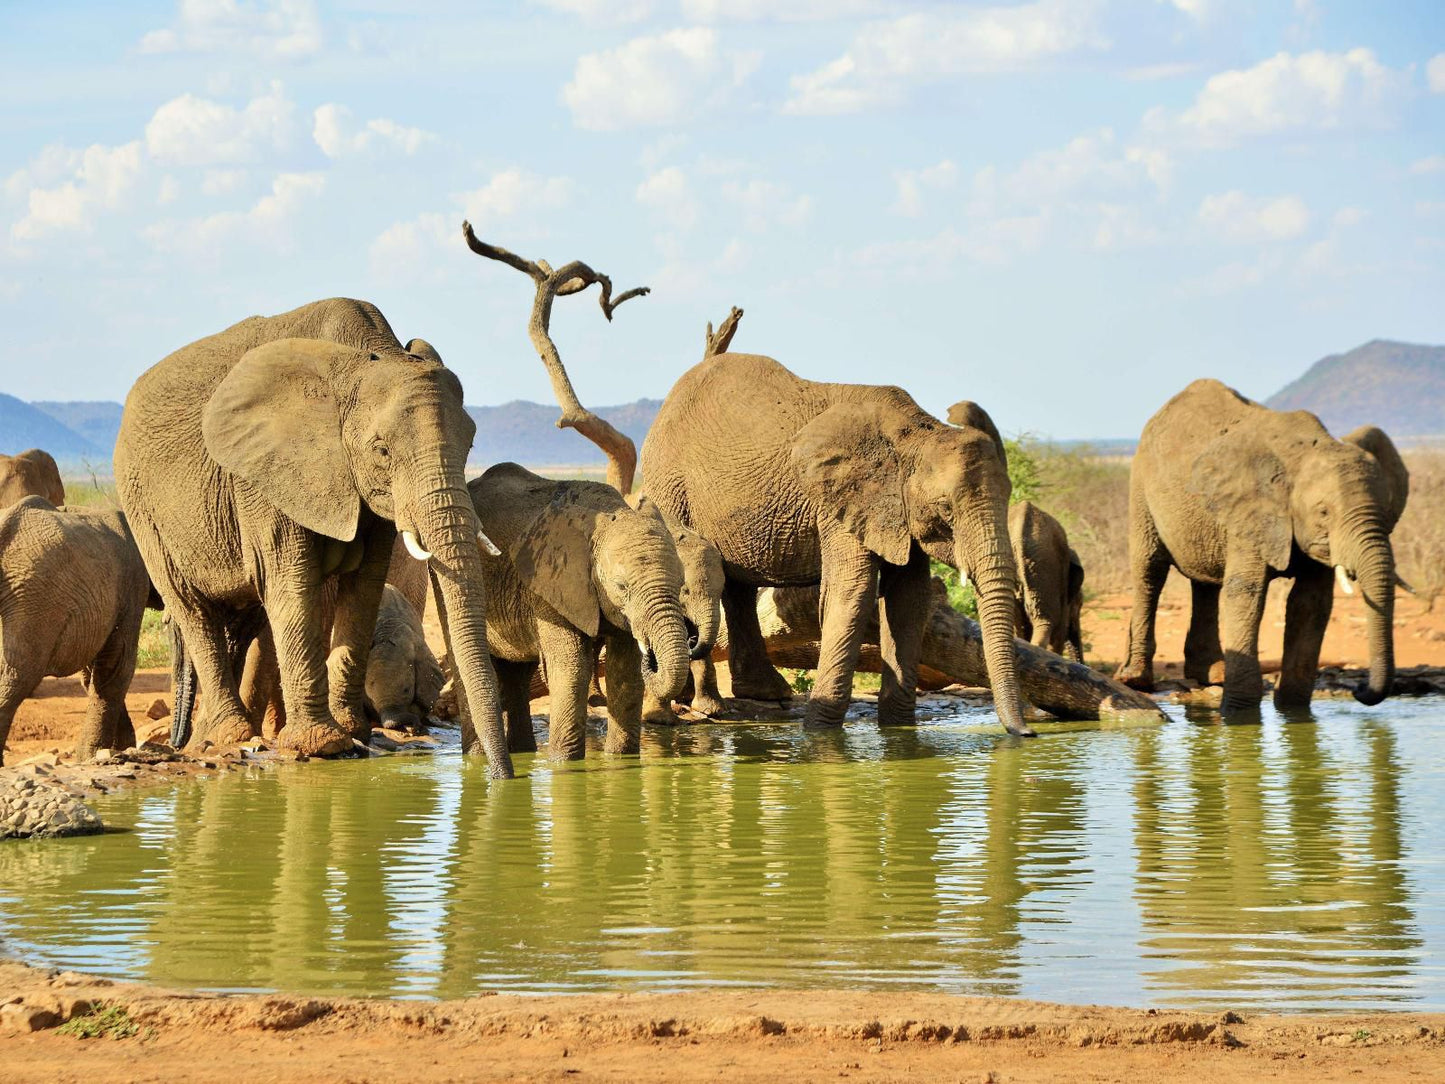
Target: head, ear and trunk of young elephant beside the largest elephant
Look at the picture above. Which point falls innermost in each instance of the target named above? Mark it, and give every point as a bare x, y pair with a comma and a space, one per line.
596, 564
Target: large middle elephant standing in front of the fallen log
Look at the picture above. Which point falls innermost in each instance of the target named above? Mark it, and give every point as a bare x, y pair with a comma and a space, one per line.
849, 486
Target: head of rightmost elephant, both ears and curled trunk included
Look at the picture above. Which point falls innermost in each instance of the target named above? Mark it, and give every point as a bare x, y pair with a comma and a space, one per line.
1337, 504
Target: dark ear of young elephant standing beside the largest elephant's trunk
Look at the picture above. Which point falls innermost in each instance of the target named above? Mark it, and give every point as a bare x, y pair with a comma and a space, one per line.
554, 557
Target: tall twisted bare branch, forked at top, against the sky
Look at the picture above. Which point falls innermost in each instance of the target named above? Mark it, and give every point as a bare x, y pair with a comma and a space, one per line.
571, 278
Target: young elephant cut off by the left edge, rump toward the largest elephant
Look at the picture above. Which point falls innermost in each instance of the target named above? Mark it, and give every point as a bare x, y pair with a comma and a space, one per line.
73, 592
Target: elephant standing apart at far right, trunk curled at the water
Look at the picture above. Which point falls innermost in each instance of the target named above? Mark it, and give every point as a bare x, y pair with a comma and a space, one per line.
1235, 495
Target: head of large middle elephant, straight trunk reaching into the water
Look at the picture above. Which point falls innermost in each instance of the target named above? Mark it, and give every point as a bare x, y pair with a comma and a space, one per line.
892, 475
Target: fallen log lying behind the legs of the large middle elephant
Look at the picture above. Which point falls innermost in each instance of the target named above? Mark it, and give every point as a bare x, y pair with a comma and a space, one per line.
953, 653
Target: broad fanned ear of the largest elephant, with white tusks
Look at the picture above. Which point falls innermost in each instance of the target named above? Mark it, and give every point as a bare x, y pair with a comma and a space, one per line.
275, 423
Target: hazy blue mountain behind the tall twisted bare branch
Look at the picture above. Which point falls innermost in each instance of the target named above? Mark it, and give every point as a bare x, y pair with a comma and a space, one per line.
527, 433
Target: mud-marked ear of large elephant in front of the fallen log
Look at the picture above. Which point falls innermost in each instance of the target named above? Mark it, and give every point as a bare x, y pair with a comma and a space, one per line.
852, 470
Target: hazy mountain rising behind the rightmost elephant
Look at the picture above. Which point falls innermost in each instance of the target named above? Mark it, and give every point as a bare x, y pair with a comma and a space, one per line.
1399, 387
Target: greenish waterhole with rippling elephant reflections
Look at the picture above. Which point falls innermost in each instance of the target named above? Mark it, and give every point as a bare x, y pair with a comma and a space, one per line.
1278, 865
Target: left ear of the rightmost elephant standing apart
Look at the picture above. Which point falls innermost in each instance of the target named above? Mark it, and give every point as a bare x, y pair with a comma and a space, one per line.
1245, 486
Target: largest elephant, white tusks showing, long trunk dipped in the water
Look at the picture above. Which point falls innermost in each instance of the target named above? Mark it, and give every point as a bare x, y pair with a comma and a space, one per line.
259, 462
